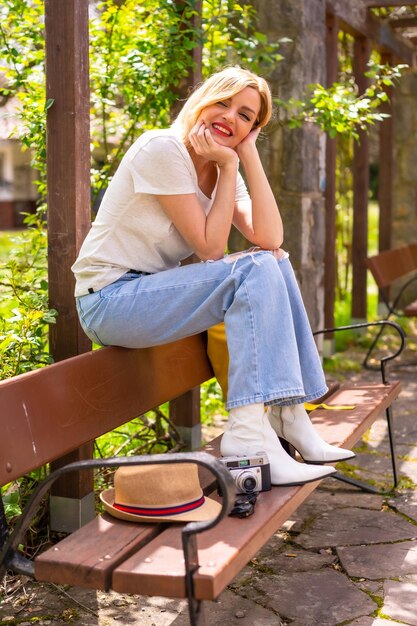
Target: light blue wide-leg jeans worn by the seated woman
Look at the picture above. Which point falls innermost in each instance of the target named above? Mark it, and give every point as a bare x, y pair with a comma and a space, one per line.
273, 356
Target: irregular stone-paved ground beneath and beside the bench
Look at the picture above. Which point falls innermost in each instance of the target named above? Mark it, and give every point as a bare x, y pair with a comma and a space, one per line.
345, 557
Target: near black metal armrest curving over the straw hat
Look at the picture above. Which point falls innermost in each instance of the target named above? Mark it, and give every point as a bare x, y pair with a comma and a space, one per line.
11, 559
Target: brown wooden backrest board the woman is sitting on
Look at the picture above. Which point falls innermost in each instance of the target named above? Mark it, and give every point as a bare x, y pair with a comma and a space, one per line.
47, 413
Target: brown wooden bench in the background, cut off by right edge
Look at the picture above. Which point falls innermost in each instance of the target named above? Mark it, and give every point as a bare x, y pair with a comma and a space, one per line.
397, 266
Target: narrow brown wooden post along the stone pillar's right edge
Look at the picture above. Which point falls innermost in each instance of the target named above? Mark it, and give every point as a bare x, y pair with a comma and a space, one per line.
332, 49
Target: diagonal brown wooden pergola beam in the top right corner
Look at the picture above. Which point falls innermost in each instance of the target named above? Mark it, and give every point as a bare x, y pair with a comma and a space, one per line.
363, 24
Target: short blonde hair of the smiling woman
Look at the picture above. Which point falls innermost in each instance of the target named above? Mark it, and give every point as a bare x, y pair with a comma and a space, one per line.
221, 86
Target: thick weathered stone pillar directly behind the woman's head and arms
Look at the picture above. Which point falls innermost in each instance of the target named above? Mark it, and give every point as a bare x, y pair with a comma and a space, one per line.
294, 158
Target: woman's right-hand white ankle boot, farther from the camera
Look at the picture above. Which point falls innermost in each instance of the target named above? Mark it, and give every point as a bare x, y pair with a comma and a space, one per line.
293, 424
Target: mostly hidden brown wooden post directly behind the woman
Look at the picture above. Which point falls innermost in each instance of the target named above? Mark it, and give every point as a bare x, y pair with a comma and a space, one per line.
185, 410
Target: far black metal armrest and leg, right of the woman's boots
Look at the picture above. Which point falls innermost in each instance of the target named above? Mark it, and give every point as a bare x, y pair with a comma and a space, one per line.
388, 412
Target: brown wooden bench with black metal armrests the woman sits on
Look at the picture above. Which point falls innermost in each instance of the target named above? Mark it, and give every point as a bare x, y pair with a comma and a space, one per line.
49, 412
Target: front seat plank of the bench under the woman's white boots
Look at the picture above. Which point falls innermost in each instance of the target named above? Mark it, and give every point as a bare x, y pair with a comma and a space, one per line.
157, 569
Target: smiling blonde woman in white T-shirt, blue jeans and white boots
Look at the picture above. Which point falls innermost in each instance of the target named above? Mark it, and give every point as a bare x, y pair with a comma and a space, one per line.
176, 192
